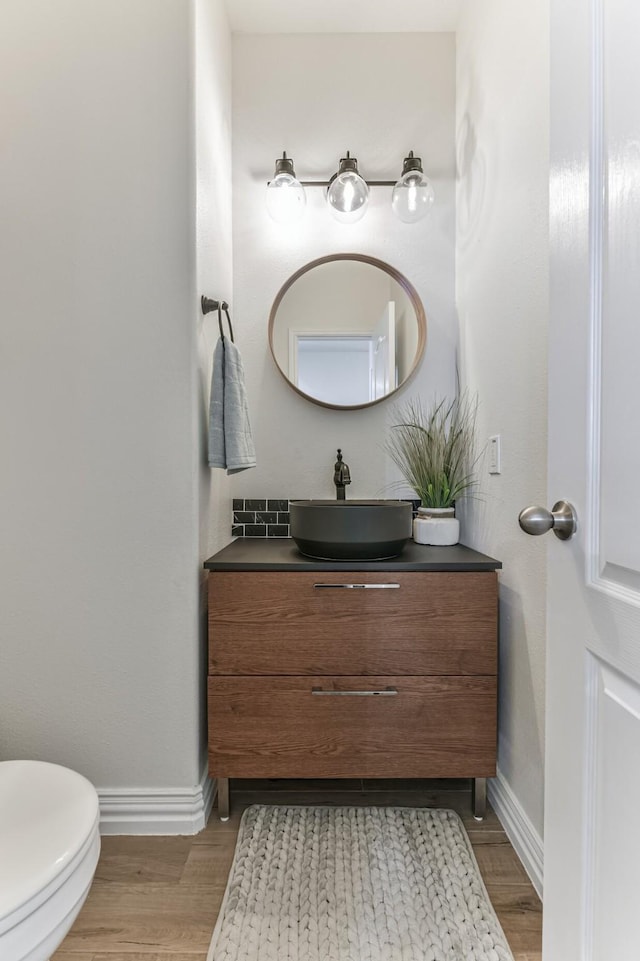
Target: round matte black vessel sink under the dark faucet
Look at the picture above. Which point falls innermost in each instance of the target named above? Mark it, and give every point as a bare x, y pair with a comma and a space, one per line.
350, 530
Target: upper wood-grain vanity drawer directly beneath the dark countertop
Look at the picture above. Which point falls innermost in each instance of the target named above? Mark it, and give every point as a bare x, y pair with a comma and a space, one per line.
311, 623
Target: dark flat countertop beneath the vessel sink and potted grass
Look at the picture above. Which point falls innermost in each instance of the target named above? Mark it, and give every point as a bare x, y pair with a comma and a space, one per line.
281, 554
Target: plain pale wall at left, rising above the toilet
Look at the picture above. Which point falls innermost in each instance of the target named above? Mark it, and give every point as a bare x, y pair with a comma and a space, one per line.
100, 651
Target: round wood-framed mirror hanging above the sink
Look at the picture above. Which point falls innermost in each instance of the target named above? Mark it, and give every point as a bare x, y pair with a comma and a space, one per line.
346, 331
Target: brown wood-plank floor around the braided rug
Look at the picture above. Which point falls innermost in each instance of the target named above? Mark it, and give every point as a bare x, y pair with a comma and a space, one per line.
157, 898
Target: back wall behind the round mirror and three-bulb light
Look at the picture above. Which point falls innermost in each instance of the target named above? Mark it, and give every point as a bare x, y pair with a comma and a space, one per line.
316, 97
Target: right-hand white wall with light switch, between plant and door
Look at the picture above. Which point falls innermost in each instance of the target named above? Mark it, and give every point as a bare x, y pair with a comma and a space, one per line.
502, 296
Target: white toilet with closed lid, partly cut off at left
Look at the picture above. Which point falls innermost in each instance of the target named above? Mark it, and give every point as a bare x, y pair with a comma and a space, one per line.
49, 847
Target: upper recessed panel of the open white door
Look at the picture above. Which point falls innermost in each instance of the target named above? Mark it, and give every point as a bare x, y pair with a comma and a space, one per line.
616, 39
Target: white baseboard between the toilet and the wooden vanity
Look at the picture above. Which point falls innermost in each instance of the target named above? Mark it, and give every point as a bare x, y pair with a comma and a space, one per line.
156, 810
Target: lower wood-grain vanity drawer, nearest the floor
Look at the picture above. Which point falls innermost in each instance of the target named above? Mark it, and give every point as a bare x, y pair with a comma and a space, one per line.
335, 727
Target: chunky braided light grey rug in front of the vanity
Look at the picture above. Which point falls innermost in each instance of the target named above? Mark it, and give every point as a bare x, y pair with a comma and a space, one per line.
355, 884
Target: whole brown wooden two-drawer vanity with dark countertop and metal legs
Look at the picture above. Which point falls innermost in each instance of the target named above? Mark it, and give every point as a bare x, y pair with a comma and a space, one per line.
331, 669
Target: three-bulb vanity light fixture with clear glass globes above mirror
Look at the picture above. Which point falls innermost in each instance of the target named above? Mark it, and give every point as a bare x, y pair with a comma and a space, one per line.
348, 192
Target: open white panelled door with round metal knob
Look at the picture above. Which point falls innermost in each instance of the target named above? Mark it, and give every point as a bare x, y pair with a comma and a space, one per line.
592, 805
